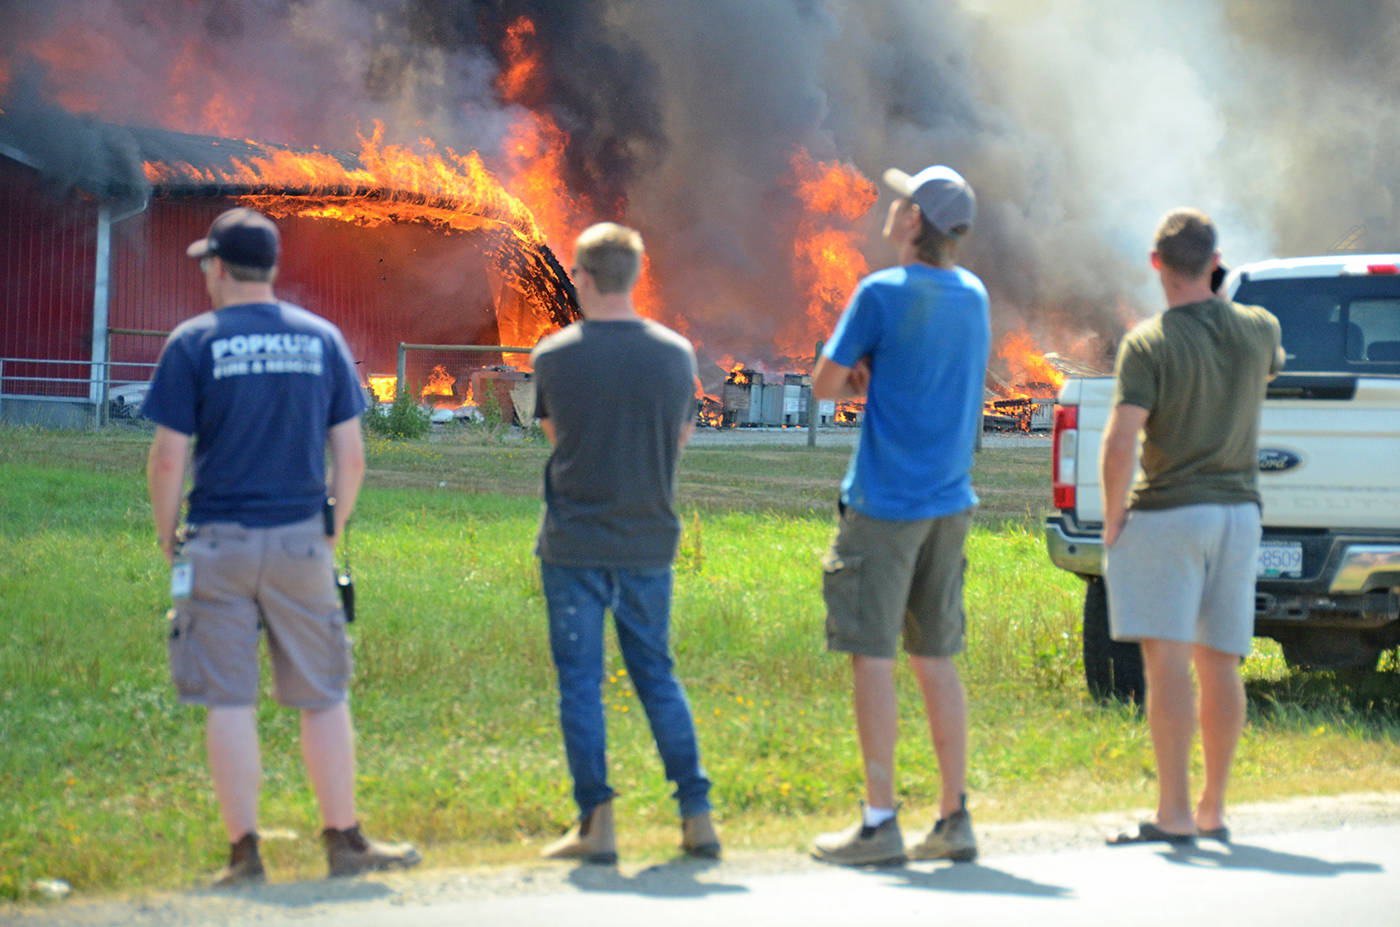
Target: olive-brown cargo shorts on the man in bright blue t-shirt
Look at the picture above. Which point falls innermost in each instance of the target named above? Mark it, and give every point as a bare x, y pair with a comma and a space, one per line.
888, 578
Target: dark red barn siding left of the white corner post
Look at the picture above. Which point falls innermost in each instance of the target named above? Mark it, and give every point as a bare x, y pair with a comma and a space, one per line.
48, 253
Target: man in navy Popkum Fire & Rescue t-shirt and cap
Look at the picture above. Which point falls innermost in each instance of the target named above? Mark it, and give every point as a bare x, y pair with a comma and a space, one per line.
262, 389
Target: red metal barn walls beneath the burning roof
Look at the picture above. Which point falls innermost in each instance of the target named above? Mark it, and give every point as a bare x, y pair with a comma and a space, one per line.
381, 286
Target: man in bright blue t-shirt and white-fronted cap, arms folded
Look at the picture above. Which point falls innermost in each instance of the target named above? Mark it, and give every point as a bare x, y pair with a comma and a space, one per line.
913, 342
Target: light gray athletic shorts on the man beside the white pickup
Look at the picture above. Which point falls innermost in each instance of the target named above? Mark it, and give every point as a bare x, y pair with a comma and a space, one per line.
1186, 575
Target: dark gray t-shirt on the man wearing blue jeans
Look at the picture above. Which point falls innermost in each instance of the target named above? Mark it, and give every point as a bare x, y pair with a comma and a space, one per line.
618, 396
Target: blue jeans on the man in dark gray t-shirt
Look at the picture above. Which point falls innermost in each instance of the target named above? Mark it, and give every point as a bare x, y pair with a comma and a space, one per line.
640, 603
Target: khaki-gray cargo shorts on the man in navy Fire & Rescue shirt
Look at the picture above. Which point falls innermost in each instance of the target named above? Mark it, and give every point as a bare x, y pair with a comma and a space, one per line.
247, 580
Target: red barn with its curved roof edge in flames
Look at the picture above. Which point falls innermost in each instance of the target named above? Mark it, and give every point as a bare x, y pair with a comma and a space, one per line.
390, 246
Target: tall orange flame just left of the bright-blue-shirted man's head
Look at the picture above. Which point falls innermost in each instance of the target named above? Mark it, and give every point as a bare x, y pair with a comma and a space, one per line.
828, 263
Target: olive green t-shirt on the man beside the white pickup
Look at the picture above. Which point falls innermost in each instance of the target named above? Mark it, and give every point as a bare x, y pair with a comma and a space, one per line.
1200, 370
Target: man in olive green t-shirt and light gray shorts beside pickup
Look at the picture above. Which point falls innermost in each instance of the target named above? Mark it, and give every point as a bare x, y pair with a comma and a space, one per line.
1182, 540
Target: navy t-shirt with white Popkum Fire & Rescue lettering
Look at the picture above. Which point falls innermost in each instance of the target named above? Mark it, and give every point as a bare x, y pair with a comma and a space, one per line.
258, 386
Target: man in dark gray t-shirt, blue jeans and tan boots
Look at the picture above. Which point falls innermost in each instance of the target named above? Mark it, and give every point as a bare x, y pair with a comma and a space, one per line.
615, 396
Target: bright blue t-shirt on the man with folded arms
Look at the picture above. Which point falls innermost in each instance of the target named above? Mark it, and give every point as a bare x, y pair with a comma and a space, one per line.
927, 333
